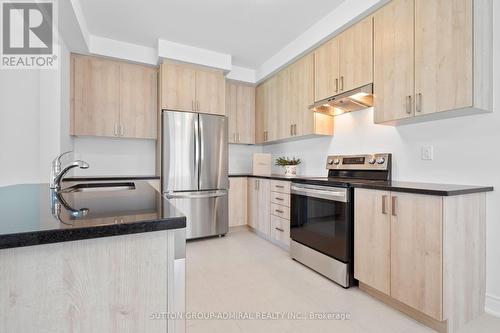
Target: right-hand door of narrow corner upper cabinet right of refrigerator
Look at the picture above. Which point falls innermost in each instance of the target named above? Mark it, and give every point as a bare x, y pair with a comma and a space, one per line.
245, 107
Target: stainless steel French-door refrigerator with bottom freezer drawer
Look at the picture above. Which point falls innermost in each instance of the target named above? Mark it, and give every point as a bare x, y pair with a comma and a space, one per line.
194, 170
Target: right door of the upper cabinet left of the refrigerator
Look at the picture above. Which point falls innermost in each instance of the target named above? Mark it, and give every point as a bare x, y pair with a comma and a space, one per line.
138, 100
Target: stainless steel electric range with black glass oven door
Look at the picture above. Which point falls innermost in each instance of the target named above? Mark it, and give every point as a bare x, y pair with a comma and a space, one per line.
322, 214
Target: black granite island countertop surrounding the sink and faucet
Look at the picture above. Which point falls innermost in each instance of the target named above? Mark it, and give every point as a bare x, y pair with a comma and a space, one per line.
29, 214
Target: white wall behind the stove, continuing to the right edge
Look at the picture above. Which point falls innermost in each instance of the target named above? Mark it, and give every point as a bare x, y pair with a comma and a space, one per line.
466, 151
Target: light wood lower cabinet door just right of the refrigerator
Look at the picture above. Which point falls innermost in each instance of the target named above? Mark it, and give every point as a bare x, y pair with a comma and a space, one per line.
237, 201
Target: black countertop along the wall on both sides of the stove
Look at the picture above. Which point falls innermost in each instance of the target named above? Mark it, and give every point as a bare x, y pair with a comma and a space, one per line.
395, 186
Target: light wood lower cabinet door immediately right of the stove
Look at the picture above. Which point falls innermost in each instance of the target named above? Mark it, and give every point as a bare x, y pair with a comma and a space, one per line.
372, 239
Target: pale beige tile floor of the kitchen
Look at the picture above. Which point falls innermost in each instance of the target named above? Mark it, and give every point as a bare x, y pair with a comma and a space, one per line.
243, 272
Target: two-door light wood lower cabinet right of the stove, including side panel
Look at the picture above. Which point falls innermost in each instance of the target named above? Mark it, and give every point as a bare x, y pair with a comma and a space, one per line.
425, 254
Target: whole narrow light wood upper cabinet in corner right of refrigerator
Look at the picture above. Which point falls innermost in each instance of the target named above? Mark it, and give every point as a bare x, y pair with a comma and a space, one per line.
240, 110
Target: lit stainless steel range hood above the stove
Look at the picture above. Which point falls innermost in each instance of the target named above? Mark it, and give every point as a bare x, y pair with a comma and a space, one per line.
352, 100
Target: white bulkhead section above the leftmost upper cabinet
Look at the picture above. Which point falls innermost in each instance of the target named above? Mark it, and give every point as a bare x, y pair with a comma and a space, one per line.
122, 50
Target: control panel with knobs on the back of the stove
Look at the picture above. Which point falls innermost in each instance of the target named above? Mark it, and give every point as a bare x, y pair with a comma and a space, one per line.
380, 161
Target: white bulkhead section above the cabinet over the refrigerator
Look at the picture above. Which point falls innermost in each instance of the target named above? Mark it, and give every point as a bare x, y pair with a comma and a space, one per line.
193, 55
